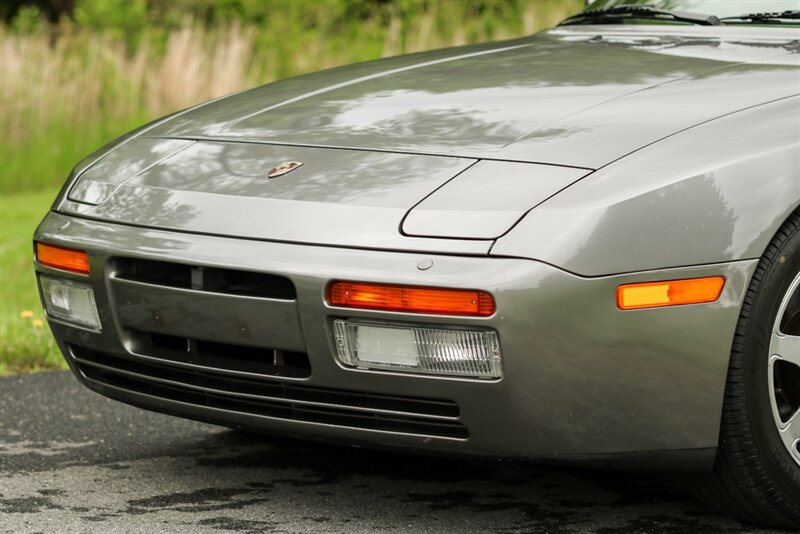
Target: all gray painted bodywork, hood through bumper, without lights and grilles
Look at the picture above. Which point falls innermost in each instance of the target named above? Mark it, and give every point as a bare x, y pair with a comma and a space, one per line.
659, 152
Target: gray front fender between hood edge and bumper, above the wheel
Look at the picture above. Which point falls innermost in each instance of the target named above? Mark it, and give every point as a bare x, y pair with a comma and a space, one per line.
716, 192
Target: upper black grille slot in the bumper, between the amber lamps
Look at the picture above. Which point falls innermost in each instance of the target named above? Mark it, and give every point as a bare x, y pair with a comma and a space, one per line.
211, 279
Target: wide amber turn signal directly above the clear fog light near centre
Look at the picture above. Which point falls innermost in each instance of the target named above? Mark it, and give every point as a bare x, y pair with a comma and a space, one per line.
410, 299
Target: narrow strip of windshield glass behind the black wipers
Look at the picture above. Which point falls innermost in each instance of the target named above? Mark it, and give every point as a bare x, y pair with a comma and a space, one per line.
719, 8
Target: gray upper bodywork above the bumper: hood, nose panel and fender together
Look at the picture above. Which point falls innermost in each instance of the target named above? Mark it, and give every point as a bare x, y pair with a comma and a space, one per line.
600, 92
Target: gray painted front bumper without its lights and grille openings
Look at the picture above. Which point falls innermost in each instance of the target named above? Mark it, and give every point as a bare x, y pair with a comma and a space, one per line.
582, 379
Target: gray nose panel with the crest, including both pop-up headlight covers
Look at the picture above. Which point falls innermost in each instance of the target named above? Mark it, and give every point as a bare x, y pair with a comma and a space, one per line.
341, 197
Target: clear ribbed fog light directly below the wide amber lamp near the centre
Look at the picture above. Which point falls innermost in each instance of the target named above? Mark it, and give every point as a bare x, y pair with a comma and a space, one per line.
471, 353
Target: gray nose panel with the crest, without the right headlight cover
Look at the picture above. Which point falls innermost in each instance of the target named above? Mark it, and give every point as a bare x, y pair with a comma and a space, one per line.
338, 197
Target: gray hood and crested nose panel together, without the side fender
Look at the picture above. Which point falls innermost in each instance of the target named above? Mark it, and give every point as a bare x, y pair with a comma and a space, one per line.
442, 151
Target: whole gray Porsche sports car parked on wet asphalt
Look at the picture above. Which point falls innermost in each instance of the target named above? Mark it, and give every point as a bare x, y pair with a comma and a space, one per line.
581, 246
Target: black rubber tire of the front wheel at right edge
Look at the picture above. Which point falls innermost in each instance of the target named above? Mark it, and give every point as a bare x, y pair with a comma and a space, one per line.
754, 477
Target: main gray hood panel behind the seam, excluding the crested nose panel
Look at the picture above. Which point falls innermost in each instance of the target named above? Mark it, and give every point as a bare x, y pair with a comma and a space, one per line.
580, 96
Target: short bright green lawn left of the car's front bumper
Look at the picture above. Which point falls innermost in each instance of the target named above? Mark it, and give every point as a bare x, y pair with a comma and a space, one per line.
26, 344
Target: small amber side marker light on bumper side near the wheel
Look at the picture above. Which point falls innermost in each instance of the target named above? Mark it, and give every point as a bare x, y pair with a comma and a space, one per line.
669, 293
